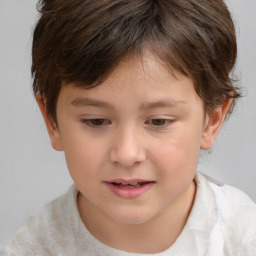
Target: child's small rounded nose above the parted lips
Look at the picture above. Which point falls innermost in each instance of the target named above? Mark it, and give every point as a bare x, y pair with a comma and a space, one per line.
127, 148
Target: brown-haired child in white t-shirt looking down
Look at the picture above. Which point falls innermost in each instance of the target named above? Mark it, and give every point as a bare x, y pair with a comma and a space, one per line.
131, 91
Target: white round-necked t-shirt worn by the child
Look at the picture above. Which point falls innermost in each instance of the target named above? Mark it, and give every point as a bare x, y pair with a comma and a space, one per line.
222, 223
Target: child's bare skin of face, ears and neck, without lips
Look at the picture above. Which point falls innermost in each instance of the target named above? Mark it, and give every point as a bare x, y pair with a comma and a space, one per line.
135, 138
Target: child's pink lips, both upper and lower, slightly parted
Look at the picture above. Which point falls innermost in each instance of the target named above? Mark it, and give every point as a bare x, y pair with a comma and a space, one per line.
127, 192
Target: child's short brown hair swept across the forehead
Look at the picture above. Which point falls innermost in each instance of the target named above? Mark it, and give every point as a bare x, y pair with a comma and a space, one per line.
83, 41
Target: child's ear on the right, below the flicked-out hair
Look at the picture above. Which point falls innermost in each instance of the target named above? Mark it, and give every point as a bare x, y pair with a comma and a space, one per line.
213, 124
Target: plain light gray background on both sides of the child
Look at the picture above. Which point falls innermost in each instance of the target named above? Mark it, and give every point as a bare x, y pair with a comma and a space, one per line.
32, 173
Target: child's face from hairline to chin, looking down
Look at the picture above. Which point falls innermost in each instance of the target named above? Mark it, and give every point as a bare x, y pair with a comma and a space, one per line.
141, 126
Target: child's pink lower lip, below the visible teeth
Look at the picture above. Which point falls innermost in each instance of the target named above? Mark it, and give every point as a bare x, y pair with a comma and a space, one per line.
129, 193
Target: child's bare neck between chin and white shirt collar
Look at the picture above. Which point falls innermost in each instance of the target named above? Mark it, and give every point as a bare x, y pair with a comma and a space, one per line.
153, 236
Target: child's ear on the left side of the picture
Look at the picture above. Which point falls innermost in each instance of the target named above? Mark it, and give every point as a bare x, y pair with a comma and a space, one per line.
51, 126
